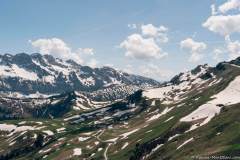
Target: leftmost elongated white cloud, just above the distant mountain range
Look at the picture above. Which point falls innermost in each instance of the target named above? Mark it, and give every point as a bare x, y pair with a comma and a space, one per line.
58, 48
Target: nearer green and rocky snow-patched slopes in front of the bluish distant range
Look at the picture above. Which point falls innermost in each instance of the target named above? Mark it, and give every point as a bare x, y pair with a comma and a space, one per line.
194, 115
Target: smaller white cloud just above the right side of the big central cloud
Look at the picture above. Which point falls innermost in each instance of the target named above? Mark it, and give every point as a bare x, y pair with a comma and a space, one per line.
160, 33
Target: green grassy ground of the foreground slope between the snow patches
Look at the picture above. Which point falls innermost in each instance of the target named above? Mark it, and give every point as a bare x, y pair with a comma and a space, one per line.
207, 140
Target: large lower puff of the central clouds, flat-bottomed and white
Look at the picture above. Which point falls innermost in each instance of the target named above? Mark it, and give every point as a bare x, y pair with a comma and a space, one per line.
141, 48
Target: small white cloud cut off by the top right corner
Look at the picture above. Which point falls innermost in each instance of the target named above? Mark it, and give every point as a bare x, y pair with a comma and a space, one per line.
229, 5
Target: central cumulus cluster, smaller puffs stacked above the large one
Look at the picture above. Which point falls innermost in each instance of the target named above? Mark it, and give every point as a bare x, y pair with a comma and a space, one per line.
146, 45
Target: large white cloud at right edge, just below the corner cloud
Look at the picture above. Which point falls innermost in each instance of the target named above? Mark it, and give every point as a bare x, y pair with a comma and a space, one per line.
224, 25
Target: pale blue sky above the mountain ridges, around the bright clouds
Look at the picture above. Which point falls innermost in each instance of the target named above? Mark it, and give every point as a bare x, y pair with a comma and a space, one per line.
104, 25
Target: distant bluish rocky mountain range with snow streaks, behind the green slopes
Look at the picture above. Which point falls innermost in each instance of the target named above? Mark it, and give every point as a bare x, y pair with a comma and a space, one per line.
36, 74
